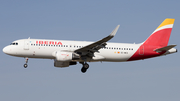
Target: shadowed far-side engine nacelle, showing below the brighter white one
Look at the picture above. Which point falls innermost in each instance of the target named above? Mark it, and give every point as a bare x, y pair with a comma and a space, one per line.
63, 64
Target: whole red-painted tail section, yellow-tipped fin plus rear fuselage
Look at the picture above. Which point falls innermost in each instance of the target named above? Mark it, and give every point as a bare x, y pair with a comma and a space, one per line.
157, 42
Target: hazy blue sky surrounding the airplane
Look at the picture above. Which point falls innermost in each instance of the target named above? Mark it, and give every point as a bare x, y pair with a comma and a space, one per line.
154, 79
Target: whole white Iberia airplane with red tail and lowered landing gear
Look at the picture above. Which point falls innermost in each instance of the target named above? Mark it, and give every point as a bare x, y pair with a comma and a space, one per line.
66, 53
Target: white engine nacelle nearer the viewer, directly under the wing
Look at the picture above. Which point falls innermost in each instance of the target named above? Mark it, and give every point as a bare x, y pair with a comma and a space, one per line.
65, 56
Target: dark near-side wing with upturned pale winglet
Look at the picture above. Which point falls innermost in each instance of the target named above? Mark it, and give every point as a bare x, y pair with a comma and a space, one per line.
94, 47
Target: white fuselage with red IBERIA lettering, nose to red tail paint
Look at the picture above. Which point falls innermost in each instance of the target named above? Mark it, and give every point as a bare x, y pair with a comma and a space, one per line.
38, 48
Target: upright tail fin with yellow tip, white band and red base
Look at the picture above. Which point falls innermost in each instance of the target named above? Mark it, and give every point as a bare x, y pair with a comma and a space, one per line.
160, 36
